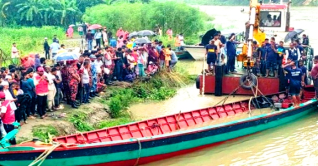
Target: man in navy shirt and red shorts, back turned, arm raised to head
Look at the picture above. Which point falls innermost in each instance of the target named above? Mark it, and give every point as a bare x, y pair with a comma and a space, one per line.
296, 80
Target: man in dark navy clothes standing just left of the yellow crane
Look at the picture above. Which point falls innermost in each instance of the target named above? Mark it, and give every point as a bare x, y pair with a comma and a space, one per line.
231, 53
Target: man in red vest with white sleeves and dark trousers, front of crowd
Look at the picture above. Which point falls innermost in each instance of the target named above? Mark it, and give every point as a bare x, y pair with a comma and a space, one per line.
41, 83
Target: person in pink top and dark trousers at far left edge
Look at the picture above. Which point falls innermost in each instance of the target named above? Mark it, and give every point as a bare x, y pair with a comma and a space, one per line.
7, 116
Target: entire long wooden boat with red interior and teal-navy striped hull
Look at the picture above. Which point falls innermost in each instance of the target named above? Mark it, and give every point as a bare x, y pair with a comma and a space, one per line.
157, 138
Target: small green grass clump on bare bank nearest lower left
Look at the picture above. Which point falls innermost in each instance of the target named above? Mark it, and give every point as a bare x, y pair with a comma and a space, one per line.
42, 132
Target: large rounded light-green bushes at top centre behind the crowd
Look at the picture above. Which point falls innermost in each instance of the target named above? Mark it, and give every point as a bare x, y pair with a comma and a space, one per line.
138, 16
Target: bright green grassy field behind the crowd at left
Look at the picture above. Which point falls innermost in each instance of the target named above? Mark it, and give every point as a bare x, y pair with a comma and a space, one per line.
28, 39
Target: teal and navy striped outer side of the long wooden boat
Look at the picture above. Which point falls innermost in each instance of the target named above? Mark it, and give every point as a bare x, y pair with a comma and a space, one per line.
158, 147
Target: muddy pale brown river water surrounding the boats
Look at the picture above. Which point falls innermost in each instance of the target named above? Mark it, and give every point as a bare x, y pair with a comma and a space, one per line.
295, 143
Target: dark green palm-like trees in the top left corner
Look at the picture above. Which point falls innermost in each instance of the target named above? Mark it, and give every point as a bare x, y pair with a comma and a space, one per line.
43, 12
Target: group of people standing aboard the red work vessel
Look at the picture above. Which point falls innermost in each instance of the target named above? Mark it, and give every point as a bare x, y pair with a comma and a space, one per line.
270, 58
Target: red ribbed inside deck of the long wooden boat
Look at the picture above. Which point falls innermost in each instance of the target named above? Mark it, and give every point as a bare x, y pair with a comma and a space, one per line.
164, 125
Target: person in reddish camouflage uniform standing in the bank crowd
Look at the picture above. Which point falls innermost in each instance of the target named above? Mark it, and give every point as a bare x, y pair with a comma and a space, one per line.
74, 79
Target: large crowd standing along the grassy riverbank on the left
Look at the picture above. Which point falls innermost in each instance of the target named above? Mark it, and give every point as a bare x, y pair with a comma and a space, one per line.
30, 92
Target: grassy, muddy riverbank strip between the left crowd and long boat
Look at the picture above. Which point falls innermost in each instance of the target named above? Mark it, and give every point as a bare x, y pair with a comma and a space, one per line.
110, 108
